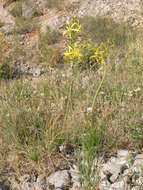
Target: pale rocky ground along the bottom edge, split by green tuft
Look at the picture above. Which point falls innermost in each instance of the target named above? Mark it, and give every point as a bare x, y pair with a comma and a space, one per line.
123, 170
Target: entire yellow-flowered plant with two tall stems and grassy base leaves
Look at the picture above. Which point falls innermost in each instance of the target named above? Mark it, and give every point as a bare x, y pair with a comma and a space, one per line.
90, 53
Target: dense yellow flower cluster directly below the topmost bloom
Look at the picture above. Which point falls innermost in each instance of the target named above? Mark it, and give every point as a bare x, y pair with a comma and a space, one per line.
73, 52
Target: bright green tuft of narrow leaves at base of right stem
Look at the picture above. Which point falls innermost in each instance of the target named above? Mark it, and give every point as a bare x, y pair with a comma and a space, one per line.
91, 149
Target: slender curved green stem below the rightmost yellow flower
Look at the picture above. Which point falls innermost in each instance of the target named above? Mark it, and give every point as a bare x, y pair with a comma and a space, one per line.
95, 96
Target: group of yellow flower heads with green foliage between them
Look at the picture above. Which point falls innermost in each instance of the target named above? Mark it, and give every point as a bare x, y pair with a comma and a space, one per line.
85, 54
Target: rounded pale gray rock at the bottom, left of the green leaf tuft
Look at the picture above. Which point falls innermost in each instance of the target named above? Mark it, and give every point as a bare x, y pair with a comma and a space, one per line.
59, 179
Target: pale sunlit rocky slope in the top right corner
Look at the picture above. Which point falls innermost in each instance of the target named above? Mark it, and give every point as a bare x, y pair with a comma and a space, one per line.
120, 10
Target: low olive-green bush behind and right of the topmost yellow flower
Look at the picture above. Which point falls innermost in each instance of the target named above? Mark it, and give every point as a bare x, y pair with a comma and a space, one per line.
103, 29
